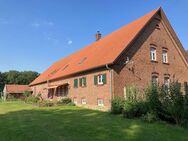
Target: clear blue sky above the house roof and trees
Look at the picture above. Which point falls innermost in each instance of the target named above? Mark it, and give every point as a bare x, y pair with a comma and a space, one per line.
36, 33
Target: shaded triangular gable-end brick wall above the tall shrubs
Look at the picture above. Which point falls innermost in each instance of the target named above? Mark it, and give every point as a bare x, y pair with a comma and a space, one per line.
139, 70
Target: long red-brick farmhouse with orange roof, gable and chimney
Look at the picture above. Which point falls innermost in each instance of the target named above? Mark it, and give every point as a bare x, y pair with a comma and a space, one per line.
144, 51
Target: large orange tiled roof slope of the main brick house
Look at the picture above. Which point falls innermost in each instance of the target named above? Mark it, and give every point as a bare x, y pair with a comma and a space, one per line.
102, 52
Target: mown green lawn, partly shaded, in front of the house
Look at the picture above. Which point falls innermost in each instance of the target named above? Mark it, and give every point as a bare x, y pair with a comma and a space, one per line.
23, 122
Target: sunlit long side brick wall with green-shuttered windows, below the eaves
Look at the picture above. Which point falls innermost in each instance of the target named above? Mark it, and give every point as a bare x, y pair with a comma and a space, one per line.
91, 92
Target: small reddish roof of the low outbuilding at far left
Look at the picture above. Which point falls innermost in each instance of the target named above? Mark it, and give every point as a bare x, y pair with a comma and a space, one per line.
17, 88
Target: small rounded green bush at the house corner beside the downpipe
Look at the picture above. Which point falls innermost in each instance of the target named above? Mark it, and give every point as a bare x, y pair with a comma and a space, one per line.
117, 105
